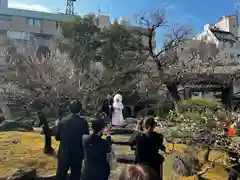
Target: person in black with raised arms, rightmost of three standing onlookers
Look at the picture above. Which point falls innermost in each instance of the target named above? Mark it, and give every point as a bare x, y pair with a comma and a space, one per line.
148, 143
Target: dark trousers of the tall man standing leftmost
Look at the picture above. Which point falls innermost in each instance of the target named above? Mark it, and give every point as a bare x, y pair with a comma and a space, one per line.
64, 163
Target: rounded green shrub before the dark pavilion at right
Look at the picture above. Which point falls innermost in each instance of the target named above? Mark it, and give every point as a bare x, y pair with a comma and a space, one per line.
197, 112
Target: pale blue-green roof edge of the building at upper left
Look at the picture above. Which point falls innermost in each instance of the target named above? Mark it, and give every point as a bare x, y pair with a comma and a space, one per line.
35, 14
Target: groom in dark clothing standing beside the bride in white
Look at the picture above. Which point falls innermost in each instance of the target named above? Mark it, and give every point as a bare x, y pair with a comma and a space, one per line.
107, 109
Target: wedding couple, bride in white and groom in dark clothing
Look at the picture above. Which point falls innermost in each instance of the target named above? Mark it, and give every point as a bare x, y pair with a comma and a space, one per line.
113, 109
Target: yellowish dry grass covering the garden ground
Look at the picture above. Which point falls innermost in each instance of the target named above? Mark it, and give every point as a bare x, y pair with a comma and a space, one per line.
21, 149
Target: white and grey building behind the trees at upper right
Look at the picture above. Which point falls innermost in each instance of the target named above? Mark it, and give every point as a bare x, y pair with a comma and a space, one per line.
221, 38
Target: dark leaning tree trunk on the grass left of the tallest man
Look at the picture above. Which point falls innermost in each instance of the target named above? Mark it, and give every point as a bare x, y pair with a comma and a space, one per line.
47, 133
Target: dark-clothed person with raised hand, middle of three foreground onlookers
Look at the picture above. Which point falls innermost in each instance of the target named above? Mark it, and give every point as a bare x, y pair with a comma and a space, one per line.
96, 166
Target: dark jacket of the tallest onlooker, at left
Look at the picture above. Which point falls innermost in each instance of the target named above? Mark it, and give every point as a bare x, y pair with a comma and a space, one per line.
69, 132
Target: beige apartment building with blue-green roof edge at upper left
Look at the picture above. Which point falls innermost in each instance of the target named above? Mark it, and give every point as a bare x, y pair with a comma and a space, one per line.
28, 26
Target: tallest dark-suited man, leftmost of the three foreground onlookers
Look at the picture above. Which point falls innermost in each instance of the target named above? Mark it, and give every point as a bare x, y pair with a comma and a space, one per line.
69, 132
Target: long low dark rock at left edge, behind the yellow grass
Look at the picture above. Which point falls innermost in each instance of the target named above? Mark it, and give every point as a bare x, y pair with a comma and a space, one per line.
10, 125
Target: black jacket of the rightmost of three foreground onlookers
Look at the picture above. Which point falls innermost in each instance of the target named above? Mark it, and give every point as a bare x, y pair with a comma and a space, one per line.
147, 146
